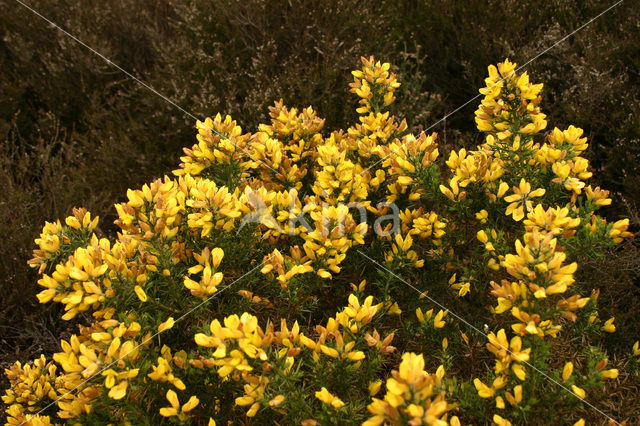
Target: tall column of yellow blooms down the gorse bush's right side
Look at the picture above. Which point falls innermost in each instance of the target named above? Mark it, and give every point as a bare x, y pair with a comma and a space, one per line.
539, 274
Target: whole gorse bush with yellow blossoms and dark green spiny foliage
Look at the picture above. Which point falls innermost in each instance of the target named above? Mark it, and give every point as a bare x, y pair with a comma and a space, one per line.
295, 275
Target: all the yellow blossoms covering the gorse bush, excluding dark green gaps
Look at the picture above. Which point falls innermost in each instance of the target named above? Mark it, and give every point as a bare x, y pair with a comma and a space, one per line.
308, 185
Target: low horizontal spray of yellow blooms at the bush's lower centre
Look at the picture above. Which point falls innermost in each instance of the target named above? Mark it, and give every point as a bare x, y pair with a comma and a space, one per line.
242, 350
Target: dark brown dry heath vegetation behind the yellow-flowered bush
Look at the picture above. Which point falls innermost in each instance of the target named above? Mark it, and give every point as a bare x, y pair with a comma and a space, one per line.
75, 131
